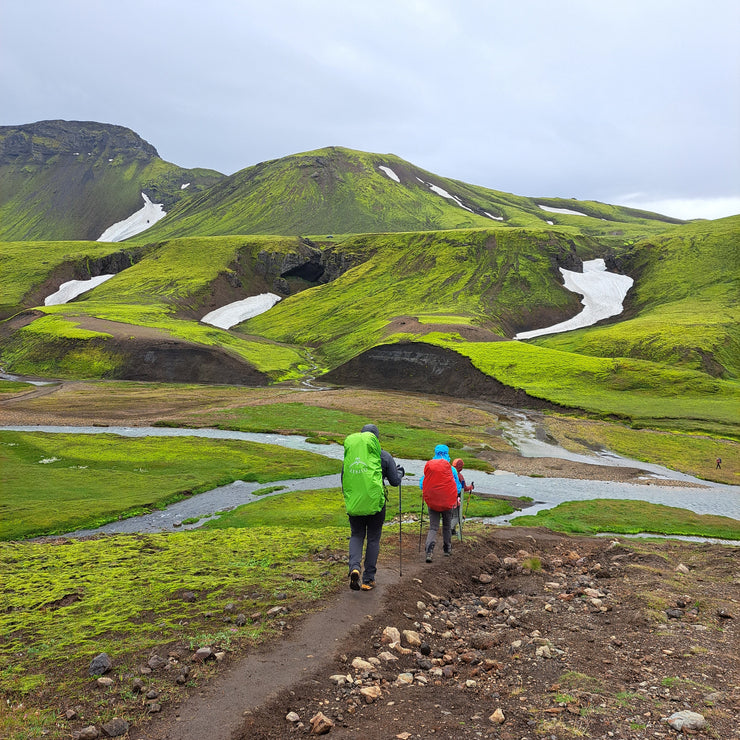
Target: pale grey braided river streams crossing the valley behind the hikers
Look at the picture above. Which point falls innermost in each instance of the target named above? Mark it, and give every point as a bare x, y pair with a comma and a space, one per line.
710, 498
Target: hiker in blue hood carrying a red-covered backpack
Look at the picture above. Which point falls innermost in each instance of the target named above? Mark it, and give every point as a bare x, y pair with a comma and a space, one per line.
440, 488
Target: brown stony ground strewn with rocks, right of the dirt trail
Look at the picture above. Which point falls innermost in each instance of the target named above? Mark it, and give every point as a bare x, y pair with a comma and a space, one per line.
528, 634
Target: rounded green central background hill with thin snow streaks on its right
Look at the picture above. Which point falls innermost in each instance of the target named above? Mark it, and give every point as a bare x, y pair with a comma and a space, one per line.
343, 191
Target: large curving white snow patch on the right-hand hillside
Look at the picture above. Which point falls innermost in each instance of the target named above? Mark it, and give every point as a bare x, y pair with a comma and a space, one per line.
603, 294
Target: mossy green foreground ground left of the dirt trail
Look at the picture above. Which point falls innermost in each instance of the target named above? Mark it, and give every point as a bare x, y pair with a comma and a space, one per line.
64, 604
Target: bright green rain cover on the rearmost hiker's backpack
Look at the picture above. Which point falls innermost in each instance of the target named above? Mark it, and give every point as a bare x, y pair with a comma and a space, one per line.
362, 475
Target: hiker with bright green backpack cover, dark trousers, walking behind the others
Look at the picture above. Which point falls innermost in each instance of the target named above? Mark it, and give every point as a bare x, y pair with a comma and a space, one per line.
365, 467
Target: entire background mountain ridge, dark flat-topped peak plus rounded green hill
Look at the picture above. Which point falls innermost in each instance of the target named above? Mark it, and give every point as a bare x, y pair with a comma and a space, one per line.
73, 180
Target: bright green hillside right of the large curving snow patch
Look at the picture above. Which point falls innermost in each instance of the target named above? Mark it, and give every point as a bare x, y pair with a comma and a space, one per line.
685, 298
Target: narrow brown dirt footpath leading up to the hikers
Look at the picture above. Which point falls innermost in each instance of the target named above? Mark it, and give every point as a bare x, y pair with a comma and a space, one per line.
218, 710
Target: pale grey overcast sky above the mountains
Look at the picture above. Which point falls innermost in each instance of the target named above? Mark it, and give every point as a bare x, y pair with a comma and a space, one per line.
634, 102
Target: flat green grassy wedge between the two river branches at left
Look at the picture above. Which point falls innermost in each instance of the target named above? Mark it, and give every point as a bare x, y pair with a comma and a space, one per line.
55, 483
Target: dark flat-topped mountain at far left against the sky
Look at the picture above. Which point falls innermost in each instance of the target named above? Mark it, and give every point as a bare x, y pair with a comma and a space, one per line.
72, 180
